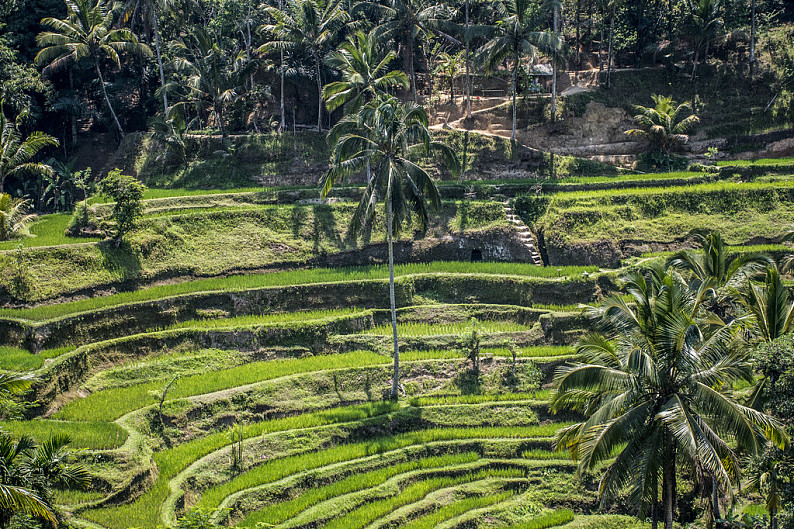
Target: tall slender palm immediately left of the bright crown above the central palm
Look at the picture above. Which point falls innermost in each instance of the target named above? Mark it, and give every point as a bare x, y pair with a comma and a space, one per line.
306, 24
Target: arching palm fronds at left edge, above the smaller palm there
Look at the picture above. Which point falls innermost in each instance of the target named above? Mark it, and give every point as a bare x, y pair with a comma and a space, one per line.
17, 153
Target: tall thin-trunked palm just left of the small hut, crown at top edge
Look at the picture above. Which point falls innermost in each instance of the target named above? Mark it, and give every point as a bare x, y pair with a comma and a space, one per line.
513, 37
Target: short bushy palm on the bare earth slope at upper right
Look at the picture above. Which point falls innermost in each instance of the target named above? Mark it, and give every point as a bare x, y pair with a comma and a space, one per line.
666, 124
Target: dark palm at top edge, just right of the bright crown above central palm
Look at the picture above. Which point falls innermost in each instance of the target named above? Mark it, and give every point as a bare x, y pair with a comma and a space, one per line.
405, 21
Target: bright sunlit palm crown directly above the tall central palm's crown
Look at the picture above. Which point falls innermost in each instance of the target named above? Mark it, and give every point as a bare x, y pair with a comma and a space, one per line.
365, 75
